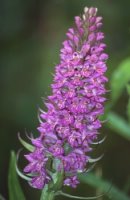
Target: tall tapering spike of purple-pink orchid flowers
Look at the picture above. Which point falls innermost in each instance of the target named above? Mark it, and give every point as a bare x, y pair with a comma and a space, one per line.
71, 122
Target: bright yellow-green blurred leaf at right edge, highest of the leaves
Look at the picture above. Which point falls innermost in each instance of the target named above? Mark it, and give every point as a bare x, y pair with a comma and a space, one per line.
120, 78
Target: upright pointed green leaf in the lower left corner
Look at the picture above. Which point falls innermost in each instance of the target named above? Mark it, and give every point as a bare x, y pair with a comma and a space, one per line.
15, 191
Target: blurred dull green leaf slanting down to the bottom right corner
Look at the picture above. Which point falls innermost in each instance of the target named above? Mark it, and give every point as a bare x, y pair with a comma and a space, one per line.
110, 190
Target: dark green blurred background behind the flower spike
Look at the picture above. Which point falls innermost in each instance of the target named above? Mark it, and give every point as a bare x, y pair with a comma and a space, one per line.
31, 32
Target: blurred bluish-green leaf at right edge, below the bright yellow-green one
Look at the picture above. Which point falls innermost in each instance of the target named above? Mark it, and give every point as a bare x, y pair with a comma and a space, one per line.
118, 124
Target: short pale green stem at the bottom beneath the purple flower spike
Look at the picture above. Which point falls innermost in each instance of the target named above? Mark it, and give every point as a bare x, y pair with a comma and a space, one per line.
47, 194
